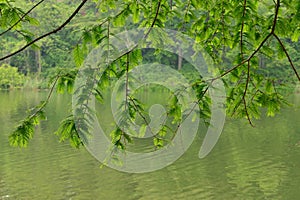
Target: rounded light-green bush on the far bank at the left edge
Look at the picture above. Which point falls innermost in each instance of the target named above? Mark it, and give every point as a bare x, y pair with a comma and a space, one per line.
10, 77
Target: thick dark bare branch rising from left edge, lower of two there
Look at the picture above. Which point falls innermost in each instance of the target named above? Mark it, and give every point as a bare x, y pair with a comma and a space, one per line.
47, 34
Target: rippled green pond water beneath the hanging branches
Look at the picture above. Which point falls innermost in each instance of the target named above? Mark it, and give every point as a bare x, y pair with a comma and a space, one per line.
247, 163
